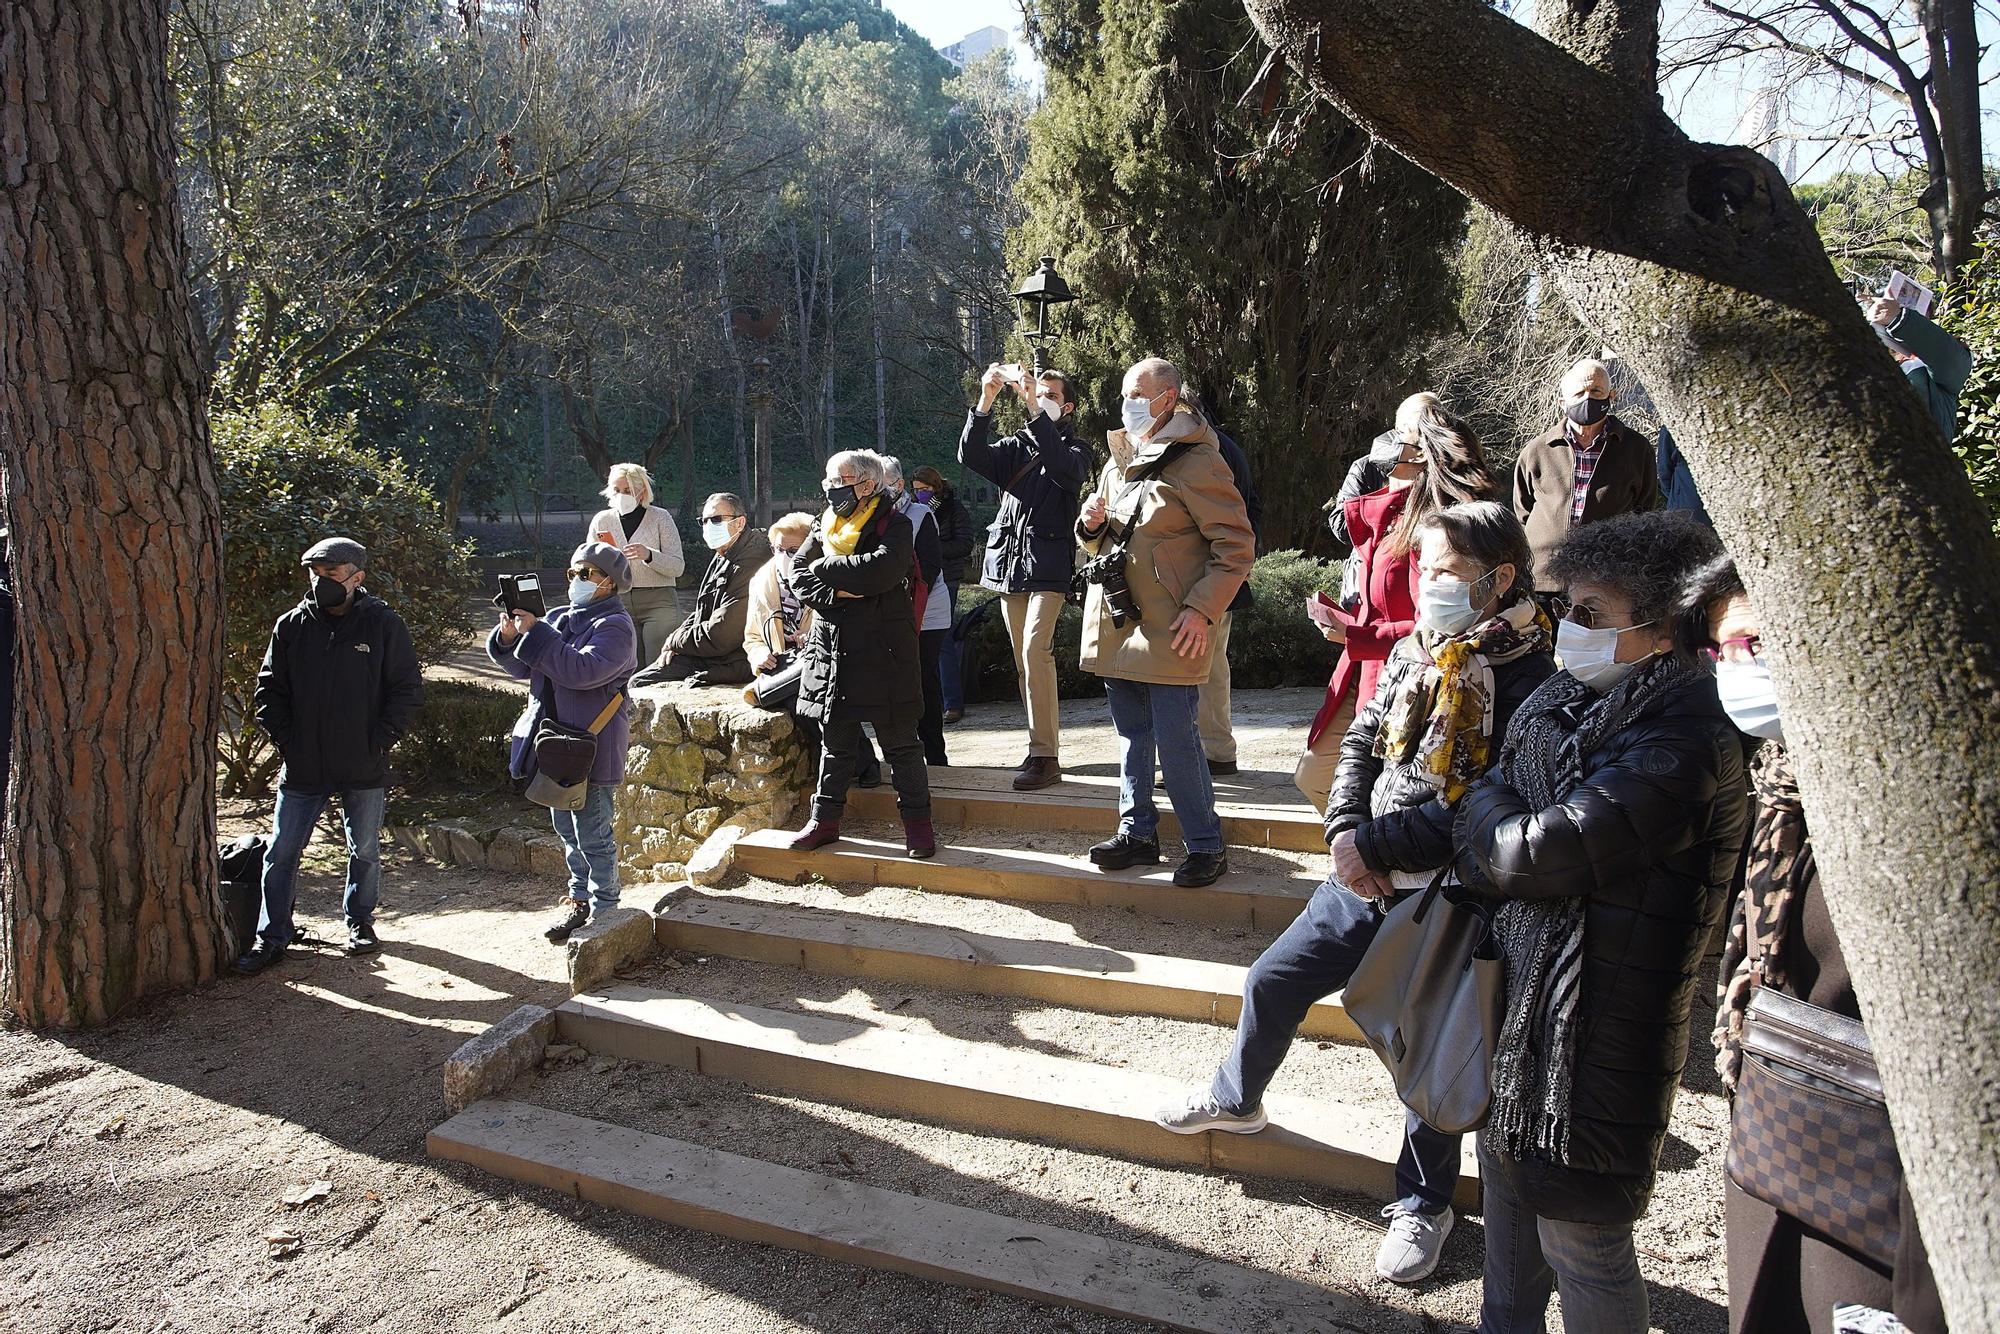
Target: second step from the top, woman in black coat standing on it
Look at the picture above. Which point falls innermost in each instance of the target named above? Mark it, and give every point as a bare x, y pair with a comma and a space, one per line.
1265, 901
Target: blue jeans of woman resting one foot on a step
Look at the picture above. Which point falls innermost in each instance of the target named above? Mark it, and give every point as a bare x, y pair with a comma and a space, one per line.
1311, 961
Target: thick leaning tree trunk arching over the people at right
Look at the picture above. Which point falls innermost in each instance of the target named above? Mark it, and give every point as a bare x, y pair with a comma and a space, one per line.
1873, 567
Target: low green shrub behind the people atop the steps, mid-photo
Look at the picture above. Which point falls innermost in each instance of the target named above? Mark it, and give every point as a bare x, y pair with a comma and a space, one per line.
1271, 641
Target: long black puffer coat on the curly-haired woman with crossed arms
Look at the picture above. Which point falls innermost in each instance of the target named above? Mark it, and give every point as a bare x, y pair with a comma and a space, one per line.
1651, 841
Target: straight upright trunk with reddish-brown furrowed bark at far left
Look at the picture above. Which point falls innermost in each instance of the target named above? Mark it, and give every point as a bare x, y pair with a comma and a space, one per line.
109, 857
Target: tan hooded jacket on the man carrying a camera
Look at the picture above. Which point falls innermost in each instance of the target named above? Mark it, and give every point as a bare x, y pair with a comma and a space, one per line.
1191, 549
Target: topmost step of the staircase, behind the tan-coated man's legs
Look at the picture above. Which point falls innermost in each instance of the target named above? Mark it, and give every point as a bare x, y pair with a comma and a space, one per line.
979, 797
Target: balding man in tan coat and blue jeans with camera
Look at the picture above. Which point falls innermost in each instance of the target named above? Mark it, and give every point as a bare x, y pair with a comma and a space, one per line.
1169, 505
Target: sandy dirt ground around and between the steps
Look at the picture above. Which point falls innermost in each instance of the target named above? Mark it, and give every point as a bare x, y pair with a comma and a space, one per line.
143, 1167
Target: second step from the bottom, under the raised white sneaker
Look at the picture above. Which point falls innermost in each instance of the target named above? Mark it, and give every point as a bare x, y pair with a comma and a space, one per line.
983, 1087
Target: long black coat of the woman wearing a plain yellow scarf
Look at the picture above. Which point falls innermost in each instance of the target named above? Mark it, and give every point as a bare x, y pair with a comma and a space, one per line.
861, 657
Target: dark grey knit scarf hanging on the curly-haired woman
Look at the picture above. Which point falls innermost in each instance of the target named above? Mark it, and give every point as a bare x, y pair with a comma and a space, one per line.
1543, 941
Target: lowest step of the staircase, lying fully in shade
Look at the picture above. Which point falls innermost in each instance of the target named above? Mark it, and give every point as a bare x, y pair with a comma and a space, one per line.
763, 1203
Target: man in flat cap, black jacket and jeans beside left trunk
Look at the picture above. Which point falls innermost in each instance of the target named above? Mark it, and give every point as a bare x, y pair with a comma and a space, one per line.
337, 691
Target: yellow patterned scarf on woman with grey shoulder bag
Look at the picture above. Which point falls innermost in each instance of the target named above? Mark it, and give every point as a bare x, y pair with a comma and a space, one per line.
1447, 711
